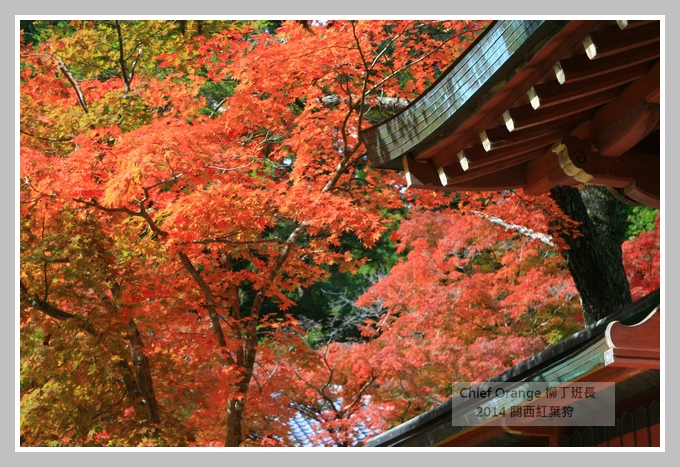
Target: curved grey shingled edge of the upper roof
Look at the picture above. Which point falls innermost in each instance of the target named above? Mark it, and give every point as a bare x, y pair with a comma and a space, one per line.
491, 60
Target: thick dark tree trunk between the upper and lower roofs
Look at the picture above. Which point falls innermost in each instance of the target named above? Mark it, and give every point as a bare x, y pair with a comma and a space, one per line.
594, 258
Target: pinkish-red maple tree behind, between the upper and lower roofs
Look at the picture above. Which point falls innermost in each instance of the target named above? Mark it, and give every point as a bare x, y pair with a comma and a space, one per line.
482, 287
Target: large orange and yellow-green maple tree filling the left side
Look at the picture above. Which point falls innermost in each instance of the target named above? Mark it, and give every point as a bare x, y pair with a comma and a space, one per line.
180, 183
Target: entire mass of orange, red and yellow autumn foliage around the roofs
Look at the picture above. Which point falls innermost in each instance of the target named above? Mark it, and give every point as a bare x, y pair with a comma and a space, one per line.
181, 182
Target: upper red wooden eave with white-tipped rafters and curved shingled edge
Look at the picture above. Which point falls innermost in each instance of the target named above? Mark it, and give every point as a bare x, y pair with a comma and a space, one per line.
494, 119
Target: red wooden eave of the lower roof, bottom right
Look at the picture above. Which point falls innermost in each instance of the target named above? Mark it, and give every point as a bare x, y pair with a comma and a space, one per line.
623, 349
